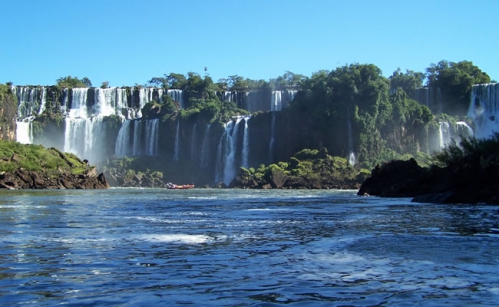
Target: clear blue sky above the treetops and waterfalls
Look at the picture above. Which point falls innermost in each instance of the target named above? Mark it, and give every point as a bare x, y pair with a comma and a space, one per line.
127, 42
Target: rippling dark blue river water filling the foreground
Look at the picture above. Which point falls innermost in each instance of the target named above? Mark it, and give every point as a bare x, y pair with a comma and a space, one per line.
211, 247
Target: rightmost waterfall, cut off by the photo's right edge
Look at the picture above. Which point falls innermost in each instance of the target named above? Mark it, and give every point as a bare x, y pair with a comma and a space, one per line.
484, 109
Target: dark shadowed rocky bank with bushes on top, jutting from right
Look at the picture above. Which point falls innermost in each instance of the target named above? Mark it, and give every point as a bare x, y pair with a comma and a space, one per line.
467, 172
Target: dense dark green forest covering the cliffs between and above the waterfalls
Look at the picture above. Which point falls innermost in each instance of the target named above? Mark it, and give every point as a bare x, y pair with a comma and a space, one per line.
351, 109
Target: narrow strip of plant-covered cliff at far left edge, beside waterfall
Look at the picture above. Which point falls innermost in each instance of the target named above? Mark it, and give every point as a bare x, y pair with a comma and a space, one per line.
8, 110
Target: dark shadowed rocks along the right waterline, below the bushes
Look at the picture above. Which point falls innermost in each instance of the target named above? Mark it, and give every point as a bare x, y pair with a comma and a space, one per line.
463, 183
